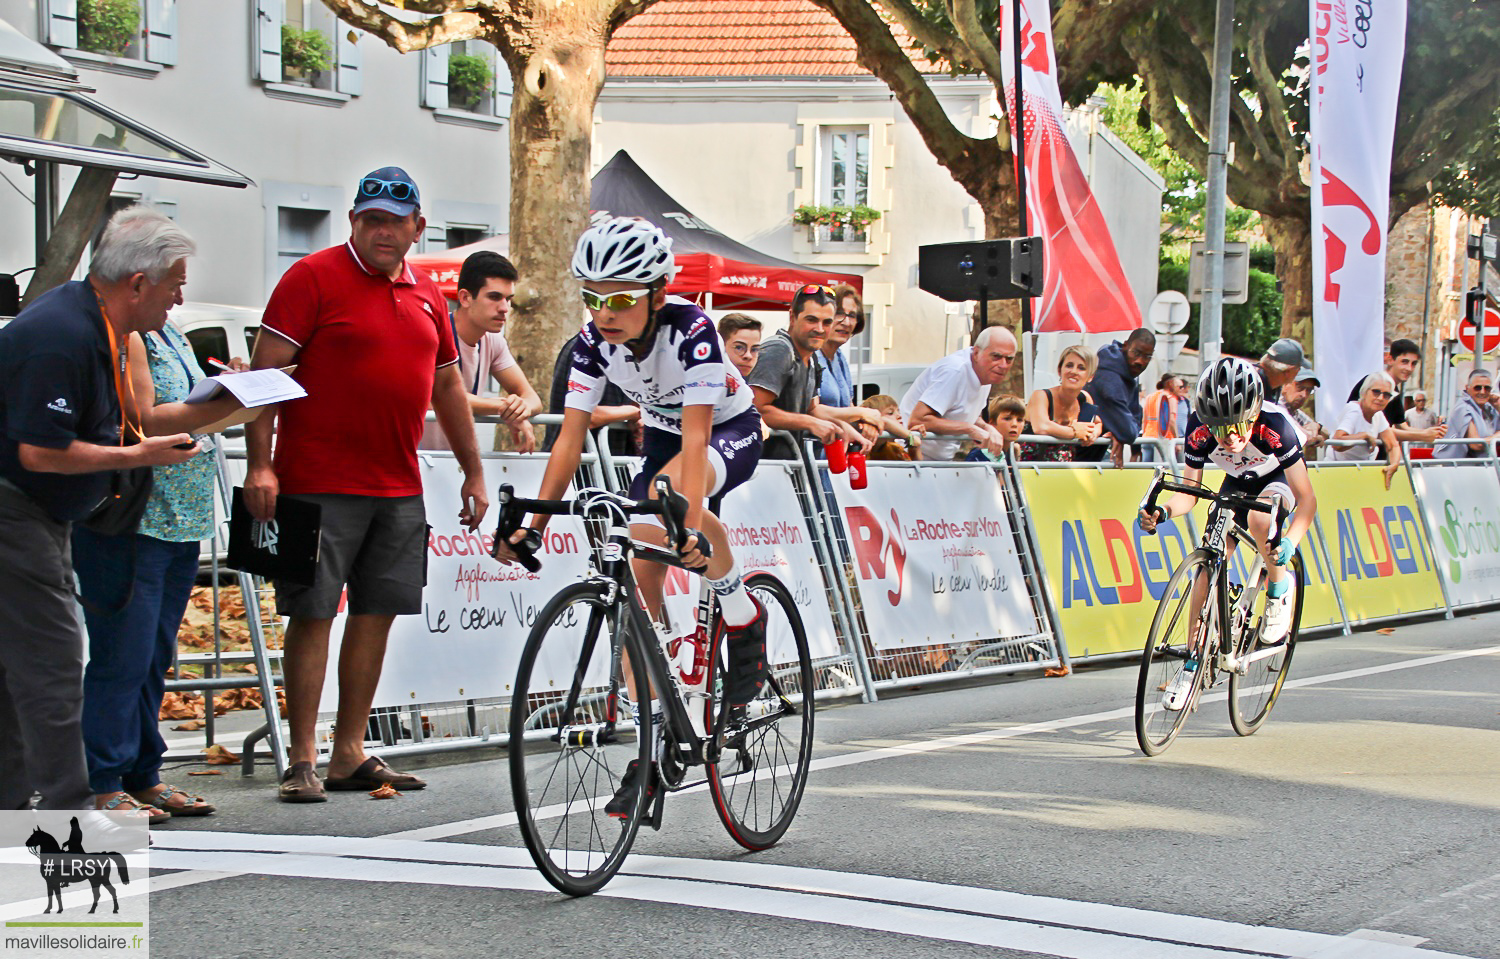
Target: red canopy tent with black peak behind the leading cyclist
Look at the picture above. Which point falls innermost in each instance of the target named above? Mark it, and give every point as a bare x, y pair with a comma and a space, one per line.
710, 265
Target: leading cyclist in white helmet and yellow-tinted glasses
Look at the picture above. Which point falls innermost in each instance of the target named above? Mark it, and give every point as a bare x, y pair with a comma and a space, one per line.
701, 425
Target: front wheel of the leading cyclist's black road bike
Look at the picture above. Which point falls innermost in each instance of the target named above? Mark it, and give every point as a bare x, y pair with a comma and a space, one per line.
574, 732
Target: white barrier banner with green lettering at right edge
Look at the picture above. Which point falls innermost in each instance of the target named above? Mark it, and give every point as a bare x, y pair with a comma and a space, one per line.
1463, 511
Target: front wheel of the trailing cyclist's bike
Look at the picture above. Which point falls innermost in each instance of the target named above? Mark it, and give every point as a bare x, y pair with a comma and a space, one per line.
1168, 652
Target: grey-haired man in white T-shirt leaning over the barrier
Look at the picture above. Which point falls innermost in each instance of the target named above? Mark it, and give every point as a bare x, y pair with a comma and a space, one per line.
950, 395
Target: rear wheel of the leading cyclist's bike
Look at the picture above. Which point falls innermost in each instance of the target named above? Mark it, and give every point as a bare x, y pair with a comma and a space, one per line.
767, 747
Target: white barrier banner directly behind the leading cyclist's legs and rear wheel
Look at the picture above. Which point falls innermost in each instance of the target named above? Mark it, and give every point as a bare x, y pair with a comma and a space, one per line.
769, 534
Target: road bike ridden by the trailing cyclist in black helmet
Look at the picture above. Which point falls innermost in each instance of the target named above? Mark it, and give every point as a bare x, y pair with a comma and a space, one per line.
1211, 613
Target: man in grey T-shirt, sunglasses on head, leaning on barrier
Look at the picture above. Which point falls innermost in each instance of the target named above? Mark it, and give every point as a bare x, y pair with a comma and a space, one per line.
785, 377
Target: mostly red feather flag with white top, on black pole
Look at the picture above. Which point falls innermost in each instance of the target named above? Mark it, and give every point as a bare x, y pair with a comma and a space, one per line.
1085, 289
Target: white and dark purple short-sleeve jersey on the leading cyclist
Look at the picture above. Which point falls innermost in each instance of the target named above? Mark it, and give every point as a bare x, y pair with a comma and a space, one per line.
685, 368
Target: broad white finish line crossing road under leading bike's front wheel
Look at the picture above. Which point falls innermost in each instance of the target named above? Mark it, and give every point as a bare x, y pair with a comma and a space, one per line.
907, 907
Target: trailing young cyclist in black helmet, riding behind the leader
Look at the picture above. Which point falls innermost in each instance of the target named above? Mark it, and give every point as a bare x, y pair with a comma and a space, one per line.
1261, 451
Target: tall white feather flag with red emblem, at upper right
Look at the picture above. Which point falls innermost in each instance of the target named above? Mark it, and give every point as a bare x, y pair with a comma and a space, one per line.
1357, 74
